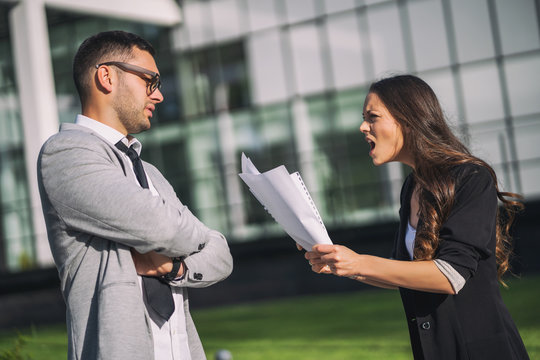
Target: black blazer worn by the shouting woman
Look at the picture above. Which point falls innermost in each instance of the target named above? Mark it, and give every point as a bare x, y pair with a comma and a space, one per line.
475, 323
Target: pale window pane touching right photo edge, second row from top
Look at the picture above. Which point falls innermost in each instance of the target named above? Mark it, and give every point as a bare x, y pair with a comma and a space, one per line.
523, 79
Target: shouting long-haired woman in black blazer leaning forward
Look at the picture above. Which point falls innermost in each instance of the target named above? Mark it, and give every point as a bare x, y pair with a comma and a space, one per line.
452, 245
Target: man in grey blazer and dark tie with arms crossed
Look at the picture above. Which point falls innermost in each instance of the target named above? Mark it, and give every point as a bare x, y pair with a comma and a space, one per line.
118, 233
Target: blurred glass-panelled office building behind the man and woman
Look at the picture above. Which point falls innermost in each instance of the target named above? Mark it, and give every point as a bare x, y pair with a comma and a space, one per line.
284, 82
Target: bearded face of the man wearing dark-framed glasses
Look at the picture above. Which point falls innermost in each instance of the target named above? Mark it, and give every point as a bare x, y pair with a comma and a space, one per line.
132, 104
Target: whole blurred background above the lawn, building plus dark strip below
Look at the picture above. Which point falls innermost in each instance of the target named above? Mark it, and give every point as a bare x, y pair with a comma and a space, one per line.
284, 82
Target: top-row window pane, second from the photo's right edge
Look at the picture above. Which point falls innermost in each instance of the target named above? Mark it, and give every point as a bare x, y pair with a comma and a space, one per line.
473, 30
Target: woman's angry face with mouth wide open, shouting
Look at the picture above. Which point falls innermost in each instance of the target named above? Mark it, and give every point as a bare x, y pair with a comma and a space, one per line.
383, 133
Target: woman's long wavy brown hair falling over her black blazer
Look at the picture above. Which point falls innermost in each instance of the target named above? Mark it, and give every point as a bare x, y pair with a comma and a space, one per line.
436, 150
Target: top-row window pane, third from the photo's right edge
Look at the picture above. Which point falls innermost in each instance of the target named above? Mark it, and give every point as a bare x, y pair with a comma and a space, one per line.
429, 35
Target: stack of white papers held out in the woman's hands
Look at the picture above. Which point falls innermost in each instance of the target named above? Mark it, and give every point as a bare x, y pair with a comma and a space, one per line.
287, 199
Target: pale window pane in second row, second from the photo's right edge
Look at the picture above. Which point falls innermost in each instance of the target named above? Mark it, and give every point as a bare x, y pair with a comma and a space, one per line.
482, 92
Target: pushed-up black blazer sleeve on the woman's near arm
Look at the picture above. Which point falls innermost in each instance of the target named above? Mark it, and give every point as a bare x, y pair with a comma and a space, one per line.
469, 232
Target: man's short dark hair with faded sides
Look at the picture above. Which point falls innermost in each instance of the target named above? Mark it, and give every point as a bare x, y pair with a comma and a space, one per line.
102, 47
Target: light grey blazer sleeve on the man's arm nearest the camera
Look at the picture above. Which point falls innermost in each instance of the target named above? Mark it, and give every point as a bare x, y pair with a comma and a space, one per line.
84, 186
